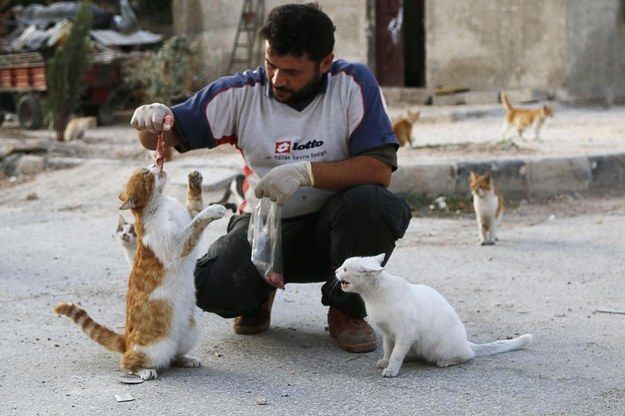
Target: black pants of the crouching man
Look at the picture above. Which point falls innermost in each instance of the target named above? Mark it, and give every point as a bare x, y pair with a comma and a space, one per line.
365, 220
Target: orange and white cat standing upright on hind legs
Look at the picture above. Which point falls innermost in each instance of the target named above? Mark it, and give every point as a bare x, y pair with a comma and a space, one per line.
160, 303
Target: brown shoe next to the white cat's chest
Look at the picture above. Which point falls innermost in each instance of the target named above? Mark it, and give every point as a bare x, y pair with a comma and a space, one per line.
353, 334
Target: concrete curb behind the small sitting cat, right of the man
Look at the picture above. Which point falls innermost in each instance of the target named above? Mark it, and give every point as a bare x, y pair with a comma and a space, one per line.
517, 178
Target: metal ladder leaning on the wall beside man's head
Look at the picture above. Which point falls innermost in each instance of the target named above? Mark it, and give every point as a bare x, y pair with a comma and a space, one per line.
247, 42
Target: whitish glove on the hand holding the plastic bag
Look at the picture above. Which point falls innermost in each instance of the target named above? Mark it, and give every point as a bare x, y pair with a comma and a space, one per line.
281, 182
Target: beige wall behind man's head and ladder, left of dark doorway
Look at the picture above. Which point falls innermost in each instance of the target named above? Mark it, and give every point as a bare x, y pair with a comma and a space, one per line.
213, 24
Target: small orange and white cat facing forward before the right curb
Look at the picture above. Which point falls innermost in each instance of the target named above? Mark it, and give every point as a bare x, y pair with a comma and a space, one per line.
488, 206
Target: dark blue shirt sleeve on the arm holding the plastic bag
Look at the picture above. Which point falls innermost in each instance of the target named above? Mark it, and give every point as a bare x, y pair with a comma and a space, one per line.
374, 127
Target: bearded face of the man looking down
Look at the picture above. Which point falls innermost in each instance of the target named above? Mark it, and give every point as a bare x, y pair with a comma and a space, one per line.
291, 77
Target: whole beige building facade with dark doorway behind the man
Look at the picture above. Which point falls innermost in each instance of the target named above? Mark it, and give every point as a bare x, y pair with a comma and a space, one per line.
571, 49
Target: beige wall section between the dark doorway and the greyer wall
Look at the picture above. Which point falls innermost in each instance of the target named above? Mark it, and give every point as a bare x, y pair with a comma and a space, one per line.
496, 43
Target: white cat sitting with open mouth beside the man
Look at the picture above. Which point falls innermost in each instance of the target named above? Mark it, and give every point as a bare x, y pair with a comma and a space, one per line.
415, 320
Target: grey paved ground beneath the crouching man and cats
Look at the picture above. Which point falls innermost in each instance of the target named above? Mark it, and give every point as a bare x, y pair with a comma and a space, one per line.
556, 264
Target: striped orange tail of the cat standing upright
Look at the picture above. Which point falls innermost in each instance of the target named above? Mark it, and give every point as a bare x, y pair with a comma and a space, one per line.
100, 334
